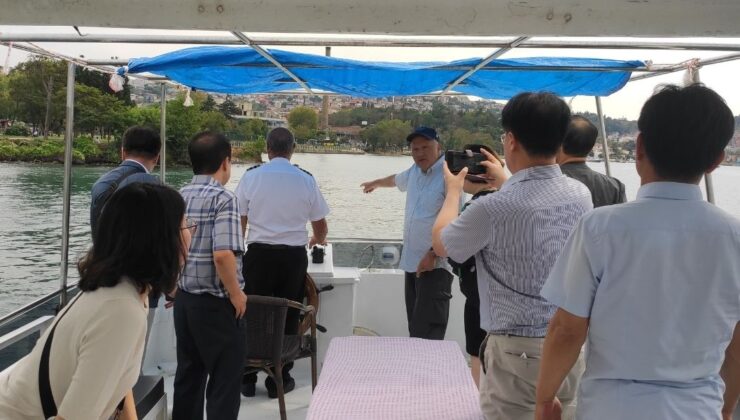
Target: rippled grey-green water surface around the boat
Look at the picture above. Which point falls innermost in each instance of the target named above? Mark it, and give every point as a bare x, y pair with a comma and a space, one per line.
31, 211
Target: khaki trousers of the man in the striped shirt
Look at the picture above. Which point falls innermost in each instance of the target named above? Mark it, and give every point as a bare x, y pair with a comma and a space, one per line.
507, 389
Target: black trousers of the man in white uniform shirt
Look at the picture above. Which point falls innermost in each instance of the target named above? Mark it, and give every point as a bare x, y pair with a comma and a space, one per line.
280, 271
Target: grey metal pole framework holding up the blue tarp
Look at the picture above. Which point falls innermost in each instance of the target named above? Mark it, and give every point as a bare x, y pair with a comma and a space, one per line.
240, 38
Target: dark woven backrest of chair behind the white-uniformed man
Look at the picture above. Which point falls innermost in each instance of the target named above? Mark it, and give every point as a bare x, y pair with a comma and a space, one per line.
265, 318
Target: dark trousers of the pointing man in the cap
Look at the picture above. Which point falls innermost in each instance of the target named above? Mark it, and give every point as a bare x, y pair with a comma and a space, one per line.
428, 303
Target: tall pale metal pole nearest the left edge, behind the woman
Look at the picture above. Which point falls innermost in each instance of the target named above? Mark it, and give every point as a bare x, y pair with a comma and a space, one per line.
67, 188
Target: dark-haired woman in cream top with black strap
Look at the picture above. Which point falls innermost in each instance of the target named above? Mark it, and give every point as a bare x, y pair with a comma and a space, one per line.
84, 366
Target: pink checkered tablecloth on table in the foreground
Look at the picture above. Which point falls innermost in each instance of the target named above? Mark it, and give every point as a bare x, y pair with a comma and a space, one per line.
394, 378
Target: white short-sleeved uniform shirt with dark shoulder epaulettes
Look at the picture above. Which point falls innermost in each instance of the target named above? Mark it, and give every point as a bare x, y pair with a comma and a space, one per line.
279, 199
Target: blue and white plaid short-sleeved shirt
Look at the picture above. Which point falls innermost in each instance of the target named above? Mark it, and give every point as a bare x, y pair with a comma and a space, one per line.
216, 212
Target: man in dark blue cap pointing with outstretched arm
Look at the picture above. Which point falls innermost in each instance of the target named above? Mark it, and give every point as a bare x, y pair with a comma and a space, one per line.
428, 277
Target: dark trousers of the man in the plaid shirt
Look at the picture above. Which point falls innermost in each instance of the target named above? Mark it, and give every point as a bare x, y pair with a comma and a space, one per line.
211, 347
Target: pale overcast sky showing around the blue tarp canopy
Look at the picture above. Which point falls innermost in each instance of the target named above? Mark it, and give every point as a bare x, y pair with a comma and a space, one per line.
625, 103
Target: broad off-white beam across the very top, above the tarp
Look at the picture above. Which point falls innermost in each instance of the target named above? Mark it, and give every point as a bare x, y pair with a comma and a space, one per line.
410, 17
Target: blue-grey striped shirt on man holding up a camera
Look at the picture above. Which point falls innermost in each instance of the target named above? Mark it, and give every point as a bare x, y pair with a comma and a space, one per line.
516, 235
